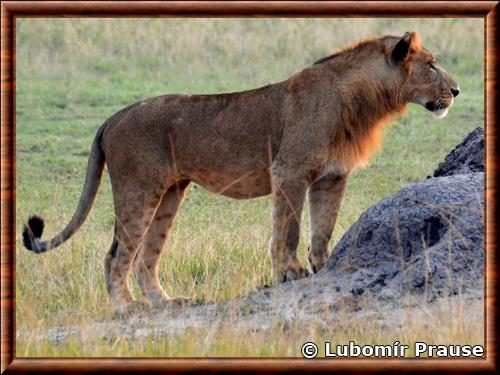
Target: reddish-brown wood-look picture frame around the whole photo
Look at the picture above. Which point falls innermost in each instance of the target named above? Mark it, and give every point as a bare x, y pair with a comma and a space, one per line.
10, 10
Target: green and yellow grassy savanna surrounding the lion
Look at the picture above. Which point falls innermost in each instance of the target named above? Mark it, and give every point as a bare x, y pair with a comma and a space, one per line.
74, 73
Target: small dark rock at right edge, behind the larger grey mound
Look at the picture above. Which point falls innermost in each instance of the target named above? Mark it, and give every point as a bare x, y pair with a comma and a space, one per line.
467, 157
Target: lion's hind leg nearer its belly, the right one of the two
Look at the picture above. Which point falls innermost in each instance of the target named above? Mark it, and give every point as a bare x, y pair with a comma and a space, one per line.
147, 261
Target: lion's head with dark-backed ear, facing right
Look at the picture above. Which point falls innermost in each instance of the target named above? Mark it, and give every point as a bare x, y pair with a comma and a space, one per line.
425, 82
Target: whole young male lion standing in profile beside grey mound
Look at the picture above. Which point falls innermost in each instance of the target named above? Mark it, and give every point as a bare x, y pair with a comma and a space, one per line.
296, 138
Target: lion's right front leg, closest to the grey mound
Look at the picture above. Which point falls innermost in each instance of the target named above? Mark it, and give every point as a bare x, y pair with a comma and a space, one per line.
325, 199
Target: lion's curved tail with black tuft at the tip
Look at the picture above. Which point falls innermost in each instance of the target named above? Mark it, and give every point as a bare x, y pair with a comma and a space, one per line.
34, 227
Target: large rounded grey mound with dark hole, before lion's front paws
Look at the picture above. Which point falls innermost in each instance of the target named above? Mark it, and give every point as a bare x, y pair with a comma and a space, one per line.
425, 239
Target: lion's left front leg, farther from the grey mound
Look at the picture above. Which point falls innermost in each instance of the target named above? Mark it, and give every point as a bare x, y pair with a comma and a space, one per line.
288, 200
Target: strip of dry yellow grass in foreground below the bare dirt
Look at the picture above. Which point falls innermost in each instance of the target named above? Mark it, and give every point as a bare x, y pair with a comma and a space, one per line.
447, 322
